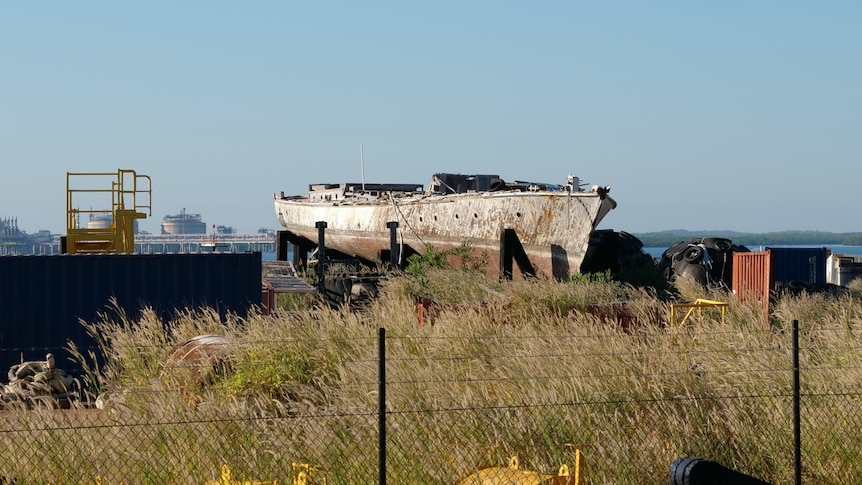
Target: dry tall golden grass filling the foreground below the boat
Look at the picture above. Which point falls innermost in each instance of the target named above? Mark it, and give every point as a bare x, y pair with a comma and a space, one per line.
519, 368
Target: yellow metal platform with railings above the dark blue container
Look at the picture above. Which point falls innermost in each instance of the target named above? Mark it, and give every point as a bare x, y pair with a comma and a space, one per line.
111, 227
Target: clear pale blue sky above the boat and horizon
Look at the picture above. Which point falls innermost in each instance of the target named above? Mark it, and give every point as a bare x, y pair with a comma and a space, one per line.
700, 115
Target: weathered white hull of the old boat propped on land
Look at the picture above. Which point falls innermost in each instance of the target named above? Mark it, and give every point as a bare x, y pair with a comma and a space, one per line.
553, 227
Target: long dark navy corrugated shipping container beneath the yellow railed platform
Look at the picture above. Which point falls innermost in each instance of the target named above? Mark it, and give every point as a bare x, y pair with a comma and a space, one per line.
44, 297
